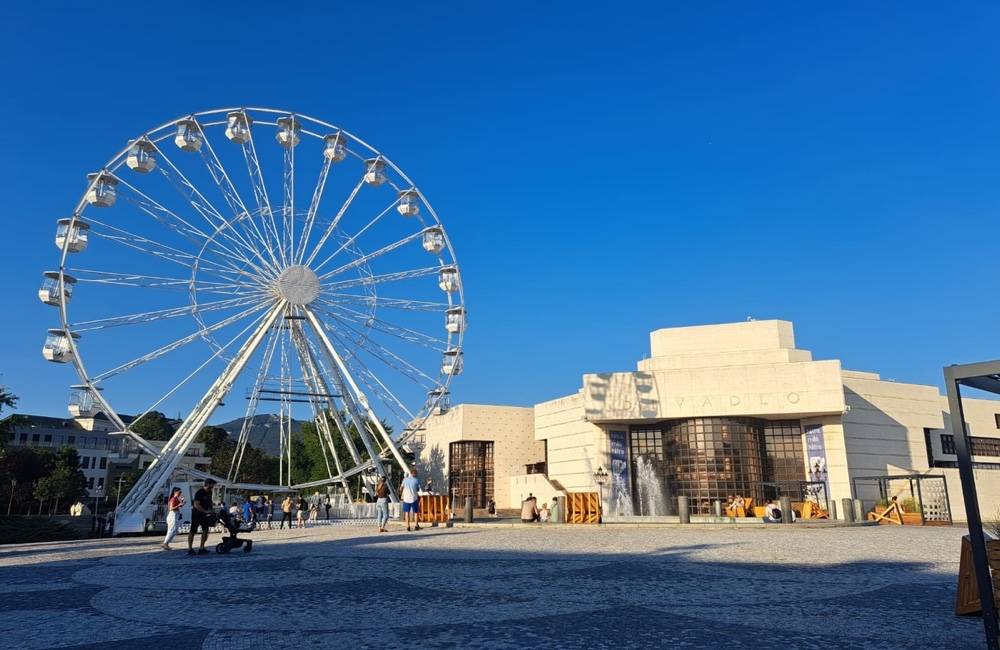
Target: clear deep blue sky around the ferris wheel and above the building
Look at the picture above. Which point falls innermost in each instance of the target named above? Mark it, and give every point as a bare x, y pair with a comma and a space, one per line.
602, 172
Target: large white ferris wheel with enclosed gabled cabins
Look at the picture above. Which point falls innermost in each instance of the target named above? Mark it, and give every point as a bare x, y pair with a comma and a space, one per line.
269, 257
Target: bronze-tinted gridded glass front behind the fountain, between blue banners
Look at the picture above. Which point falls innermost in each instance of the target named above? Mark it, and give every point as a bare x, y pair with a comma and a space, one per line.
708, 459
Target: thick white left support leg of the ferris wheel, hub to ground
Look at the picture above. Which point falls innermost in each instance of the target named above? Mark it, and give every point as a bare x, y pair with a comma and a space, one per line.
131, 514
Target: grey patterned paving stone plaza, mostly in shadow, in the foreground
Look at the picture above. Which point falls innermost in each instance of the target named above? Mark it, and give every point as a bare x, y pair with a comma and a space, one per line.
498, 587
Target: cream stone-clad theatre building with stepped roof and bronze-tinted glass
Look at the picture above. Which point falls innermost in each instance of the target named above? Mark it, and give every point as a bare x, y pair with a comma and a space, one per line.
718, 411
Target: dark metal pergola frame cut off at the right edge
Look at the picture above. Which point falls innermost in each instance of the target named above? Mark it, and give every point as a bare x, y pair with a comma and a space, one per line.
984, 376
